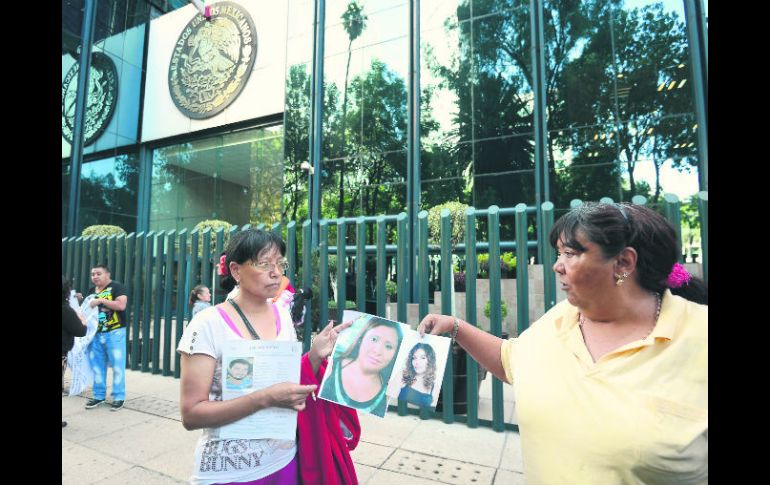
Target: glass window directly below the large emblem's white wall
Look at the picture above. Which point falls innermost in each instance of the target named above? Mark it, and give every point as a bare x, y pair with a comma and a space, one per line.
235, 177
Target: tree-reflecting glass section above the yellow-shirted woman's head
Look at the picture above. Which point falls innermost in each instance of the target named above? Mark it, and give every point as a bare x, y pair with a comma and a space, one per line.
620, 106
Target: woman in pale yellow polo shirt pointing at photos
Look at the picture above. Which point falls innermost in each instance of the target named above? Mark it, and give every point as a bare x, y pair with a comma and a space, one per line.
611, 384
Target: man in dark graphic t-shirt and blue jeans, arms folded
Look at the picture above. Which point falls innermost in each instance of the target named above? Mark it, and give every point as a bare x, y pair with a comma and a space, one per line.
109, 344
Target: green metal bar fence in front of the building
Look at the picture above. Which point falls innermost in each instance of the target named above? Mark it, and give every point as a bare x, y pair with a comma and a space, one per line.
159, 270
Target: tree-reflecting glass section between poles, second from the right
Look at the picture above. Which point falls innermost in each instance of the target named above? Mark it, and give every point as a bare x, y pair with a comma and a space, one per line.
476, 85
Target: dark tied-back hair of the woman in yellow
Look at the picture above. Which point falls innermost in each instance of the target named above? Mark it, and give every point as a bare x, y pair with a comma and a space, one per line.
613, 227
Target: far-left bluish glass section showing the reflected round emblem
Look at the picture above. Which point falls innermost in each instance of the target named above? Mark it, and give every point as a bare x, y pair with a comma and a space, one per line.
109, 174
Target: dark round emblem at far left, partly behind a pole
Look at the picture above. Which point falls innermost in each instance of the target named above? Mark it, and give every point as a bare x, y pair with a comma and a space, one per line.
102, 98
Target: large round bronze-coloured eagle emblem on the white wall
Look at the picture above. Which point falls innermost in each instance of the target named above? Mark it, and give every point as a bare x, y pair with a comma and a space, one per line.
212, 61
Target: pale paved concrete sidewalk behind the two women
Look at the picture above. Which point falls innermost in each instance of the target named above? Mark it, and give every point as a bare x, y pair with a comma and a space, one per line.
146, 443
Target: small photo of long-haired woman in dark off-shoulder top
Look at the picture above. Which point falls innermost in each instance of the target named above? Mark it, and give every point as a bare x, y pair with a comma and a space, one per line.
419, 376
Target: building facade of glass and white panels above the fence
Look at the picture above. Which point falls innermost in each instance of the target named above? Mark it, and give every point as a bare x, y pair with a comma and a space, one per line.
394, 105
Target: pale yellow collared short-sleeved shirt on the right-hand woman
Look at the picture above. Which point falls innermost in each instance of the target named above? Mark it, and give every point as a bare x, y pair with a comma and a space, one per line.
637, 415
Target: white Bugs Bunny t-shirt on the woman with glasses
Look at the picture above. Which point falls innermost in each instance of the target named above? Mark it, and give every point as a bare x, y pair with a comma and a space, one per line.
231, 460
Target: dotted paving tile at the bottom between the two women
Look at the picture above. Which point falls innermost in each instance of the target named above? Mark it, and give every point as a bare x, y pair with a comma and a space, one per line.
439, 469
